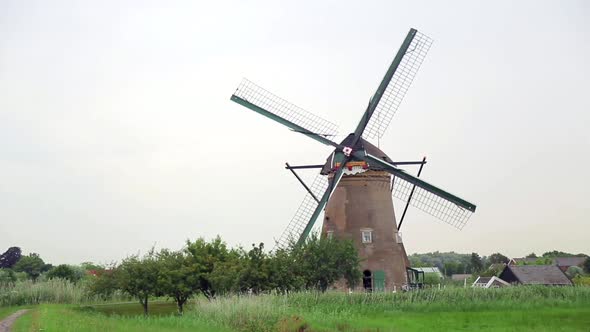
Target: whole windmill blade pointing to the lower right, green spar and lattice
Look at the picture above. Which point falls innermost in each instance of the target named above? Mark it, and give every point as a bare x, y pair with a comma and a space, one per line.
426, 197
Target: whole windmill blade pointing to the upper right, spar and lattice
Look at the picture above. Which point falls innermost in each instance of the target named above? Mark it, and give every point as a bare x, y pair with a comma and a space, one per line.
395, 84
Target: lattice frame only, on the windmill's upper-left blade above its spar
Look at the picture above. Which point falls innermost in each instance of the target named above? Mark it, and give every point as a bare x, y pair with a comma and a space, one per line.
260, 97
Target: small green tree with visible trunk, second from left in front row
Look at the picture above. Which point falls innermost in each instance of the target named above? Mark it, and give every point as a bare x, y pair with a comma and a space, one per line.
178, 276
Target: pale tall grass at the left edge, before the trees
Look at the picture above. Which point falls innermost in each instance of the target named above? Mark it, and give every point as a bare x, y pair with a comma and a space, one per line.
28, 292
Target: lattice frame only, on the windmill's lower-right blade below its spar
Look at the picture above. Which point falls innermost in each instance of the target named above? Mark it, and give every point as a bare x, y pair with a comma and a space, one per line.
431, 203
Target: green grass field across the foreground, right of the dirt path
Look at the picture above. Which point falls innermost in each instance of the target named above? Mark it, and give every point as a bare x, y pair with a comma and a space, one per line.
510, 309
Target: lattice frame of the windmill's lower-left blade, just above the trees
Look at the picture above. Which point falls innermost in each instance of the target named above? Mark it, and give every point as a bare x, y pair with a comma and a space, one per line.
304, 212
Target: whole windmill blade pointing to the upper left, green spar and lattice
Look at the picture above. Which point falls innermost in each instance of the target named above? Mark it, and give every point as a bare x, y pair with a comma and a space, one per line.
297, 119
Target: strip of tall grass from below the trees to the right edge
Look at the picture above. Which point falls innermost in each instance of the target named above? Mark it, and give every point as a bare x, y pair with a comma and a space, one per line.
270, 312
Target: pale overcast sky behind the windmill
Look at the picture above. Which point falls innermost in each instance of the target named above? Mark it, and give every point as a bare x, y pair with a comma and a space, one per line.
117, 132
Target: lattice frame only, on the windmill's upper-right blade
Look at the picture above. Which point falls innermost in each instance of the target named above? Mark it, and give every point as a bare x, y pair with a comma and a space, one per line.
398, 86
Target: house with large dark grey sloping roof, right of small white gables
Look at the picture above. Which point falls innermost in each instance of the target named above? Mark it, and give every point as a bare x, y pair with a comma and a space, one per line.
549, 275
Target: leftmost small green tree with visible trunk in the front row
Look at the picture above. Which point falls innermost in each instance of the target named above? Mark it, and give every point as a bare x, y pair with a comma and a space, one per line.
138, 277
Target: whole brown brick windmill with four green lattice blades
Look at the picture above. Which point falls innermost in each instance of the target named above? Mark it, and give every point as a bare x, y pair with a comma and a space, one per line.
357, 182
